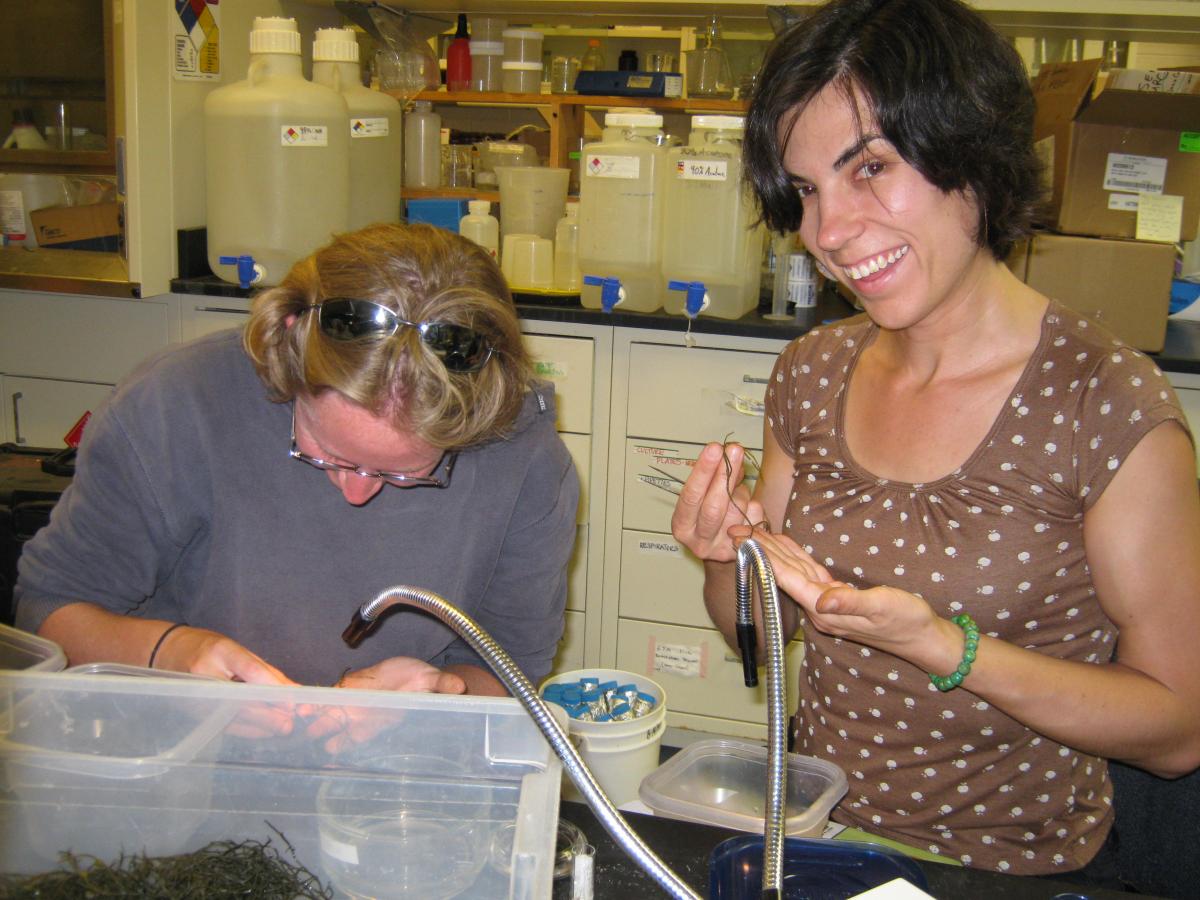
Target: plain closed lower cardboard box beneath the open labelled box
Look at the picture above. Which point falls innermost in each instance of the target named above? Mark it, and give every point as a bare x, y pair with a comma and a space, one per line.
1125, 286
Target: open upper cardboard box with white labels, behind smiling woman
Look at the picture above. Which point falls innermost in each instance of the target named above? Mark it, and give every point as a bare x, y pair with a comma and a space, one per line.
1108, 149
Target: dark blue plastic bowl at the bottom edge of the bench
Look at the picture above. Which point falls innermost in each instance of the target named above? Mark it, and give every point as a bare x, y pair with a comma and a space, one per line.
814, 869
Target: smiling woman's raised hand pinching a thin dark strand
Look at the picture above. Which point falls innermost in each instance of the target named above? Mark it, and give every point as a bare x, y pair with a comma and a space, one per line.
713, 501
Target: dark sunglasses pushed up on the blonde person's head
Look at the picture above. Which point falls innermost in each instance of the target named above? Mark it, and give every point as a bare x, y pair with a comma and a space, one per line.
460, 349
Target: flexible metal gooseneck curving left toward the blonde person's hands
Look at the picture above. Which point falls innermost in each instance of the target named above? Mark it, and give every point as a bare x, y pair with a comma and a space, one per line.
365, 620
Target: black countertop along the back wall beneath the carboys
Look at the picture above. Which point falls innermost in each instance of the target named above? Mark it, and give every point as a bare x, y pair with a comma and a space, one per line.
1181, 352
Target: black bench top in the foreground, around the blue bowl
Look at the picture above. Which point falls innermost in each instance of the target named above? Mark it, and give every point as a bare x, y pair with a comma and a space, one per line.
685, 849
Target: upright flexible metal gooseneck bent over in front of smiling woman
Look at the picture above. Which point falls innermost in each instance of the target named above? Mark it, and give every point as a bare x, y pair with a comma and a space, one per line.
752, 559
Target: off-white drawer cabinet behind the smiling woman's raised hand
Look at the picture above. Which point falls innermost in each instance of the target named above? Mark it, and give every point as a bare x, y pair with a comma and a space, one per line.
673, 400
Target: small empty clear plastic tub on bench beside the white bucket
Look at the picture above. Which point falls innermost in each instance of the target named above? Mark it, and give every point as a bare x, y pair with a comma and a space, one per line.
724, 782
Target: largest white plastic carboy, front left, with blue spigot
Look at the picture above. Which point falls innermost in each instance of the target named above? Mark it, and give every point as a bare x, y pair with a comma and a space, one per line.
278, 163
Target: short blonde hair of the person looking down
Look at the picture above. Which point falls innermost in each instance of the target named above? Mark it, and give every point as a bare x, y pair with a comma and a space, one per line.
424, 274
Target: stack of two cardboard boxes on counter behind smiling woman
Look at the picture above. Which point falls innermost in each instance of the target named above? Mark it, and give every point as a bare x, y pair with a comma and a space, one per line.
1125, 165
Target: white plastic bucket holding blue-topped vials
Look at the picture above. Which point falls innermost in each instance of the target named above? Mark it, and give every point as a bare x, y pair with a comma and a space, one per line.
620, 754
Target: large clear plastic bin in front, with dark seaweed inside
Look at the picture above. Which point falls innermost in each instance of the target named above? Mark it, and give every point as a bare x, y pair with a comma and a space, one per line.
356, 782
